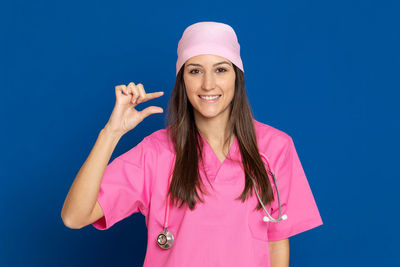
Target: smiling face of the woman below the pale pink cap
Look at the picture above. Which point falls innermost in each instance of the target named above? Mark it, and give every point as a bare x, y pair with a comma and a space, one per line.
207, 77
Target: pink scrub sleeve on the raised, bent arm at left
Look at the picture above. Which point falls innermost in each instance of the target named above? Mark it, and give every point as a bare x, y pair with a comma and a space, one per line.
125, 186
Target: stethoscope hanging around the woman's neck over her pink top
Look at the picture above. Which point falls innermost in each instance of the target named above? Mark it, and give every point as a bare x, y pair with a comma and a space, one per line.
165, 239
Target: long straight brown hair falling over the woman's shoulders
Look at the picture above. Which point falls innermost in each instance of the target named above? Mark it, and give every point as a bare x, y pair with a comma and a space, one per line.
184, 134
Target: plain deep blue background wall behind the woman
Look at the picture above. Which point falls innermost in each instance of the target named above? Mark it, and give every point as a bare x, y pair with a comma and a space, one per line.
325, 72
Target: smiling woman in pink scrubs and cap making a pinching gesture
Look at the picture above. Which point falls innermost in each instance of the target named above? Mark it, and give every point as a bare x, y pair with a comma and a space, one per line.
194, 180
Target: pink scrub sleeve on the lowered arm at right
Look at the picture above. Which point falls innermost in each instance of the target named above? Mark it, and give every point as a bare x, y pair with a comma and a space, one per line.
297, 200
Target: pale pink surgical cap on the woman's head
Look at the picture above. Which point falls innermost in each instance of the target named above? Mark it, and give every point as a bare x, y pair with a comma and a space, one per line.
209, 37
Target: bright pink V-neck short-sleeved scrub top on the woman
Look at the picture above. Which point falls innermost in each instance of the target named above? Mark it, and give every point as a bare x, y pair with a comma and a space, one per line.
221, 231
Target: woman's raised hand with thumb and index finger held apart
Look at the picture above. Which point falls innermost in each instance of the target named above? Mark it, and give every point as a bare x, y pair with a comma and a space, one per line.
124, 116
